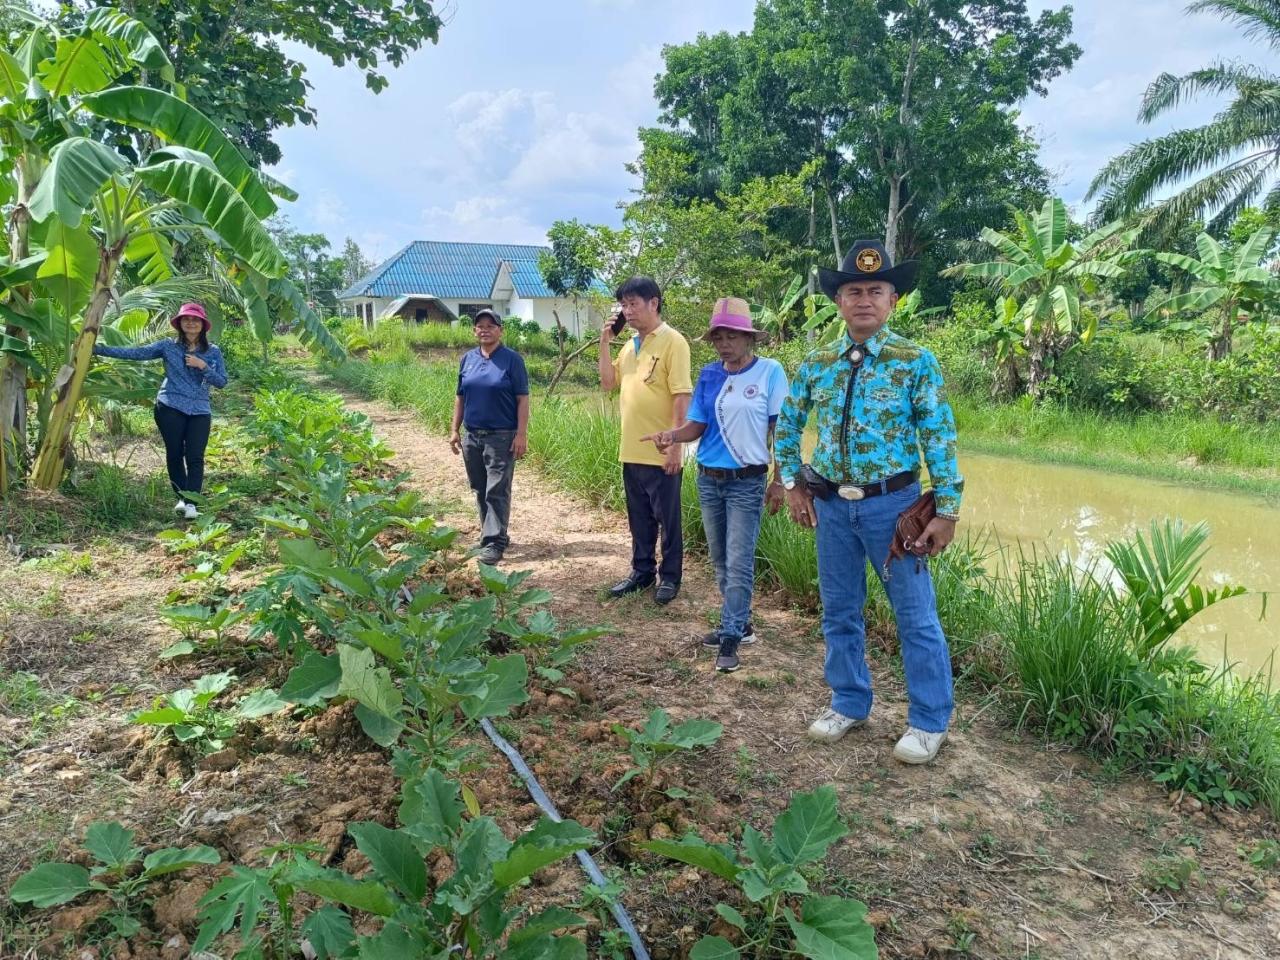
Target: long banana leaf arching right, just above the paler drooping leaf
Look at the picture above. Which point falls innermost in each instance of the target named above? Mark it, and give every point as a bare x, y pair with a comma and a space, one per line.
177, 122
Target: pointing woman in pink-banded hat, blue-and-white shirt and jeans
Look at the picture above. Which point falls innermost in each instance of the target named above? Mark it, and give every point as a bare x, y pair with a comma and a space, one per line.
737, 403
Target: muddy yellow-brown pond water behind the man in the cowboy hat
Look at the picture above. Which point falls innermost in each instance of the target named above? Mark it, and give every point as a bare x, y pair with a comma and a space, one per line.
1078, 511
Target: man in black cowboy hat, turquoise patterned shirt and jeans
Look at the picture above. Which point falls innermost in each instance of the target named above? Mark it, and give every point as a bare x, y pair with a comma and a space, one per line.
877, 403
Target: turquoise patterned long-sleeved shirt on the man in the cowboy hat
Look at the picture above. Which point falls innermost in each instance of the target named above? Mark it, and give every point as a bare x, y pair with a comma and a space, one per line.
899, 412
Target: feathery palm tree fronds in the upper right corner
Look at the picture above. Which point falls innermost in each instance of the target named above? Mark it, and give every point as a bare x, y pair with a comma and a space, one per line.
1236, 156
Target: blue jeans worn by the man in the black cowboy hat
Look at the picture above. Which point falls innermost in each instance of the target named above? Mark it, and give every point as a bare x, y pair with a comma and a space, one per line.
852, 533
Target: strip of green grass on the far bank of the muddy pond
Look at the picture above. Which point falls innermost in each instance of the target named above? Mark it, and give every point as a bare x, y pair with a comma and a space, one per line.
1181, 449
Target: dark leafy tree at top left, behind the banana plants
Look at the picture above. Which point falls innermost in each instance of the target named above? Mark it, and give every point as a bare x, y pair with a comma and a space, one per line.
230, 58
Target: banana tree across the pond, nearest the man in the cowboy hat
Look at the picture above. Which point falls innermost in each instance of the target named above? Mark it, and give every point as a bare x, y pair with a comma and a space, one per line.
1046, 275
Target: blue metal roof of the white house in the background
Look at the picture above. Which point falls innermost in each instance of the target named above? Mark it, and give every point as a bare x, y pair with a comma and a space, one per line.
452, 271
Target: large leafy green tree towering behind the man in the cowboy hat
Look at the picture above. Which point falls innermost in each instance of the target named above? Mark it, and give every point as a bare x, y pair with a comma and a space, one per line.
902, 112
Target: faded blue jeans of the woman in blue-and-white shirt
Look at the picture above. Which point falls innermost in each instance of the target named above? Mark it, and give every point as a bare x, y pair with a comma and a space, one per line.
732, 518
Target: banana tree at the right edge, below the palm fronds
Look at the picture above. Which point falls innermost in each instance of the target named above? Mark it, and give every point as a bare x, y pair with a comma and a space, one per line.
1231, 284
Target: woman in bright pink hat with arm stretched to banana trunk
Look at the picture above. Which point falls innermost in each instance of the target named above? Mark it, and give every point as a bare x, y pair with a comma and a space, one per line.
182, 409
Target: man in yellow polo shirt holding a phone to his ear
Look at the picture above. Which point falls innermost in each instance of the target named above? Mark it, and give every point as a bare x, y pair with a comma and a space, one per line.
652, 372
